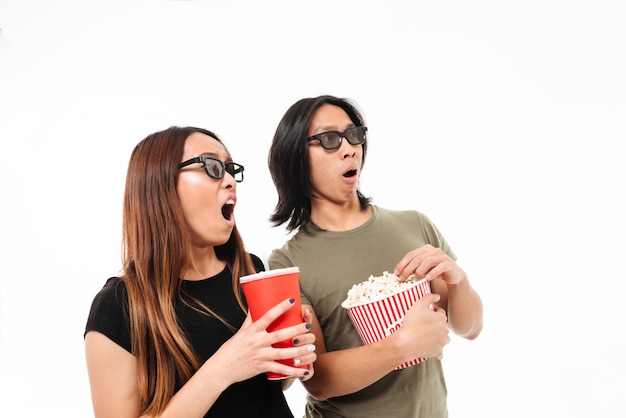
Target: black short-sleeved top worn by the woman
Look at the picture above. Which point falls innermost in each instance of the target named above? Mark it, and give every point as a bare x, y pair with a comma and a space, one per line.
256, 397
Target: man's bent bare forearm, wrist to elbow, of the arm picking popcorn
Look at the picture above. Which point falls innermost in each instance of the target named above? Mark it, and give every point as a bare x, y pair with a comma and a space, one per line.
465, 310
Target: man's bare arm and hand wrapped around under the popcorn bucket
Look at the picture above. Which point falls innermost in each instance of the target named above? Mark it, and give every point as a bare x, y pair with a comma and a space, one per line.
423, 334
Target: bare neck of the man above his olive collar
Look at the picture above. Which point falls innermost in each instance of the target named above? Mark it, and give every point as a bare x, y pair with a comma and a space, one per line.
332, 216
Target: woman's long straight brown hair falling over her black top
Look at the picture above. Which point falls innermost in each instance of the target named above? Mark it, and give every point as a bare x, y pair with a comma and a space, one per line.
156, 252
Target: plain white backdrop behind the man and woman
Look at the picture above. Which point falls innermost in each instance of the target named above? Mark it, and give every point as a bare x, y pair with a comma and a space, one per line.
503, 121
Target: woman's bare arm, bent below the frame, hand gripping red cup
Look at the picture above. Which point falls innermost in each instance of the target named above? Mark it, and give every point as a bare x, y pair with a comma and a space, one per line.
113, 376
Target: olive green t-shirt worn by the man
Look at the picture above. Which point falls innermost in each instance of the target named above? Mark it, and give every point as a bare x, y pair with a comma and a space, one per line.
330, 263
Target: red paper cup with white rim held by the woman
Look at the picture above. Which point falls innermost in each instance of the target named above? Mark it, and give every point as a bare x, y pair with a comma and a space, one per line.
265, 290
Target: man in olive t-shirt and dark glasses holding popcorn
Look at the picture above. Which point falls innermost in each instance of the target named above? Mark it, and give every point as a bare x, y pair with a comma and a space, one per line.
315, 160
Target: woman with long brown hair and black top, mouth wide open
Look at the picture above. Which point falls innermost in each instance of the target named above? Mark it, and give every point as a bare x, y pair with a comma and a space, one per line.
171, 337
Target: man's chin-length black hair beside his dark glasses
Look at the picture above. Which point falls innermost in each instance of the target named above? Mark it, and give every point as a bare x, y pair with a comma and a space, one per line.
289, 160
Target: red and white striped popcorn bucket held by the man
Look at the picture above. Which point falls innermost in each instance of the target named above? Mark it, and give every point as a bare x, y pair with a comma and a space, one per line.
378, 319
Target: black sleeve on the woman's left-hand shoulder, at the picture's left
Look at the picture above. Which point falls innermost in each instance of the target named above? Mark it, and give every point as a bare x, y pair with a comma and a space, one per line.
109, 313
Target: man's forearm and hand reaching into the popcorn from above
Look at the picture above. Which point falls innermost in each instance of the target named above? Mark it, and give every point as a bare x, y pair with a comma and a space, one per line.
458, 298
